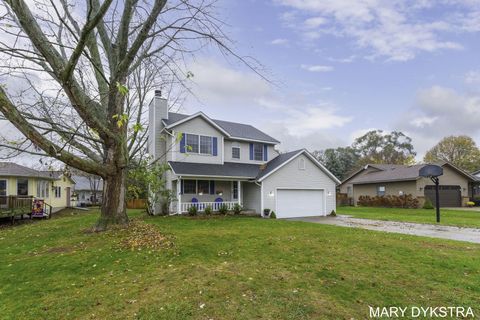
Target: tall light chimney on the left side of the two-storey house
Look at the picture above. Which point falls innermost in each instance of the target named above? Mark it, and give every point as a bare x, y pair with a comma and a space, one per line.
157, 110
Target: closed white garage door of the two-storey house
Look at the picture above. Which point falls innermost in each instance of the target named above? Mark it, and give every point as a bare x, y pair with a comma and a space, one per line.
293, 203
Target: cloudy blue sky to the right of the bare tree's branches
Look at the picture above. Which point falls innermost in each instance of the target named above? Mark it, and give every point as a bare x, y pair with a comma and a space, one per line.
342, 67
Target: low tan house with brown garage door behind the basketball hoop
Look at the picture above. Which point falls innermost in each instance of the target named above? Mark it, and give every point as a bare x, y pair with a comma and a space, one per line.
456, 185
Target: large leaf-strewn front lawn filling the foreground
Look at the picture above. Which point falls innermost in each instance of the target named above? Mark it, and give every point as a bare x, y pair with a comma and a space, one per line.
228, 268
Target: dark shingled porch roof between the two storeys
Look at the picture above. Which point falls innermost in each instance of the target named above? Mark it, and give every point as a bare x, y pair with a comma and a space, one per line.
228, 169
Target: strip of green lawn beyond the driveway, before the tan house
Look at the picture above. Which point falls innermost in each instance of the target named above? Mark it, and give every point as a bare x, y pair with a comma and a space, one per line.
460, 218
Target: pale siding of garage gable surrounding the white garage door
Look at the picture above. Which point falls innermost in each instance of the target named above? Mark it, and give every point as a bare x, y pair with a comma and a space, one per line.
290, 176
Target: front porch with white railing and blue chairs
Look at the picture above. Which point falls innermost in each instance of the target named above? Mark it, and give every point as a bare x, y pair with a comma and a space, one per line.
207, 192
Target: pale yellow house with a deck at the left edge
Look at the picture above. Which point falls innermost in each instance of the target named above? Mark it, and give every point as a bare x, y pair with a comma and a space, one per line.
54, 187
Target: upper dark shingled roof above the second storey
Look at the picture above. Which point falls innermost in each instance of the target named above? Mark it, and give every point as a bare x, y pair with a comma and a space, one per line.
236, 130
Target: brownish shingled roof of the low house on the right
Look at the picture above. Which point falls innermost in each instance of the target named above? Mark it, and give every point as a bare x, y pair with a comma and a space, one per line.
393, 172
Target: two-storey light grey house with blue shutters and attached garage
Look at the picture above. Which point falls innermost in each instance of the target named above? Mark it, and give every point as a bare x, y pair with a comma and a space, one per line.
217, 162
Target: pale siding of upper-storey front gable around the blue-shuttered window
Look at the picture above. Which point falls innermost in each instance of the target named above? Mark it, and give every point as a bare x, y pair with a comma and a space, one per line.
201, 127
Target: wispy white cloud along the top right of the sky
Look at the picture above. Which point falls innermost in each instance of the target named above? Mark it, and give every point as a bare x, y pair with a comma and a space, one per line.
396, 29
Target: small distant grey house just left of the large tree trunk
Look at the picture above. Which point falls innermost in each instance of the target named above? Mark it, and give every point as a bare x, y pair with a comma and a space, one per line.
88, 190
